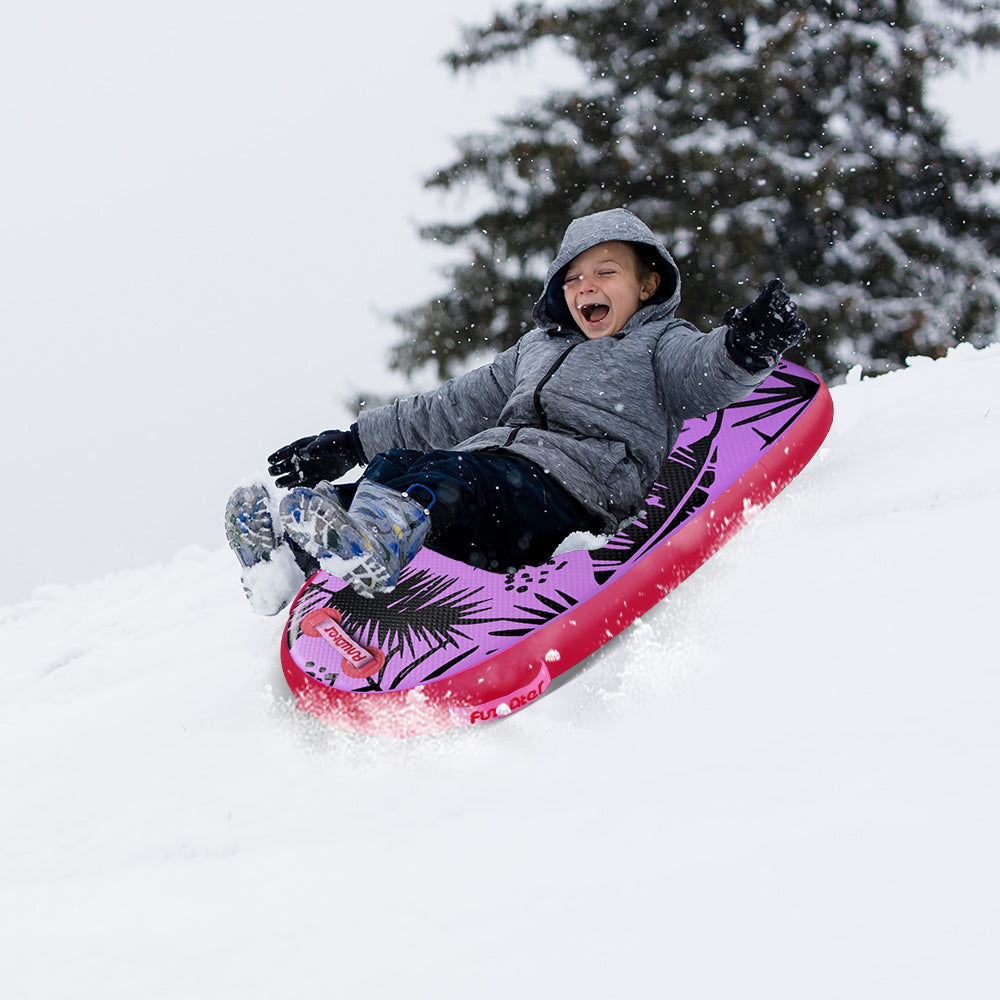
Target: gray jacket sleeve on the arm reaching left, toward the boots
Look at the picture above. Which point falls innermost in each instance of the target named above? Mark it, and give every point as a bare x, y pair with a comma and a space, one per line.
442, 417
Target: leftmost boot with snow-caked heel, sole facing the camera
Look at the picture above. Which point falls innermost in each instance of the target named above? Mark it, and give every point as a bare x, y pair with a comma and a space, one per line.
270, 574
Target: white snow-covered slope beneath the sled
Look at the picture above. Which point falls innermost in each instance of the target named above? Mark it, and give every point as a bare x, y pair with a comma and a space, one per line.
782, 782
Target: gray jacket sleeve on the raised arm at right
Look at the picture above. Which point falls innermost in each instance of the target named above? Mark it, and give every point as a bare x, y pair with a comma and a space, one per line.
696, 374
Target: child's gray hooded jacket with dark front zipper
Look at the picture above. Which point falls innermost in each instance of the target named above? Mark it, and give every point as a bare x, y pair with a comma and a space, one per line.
600, 416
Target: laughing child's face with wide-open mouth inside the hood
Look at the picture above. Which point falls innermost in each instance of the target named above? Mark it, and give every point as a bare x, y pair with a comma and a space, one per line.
603, 288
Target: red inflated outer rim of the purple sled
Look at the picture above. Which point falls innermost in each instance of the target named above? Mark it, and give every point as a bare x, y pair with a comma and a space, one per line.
519, 674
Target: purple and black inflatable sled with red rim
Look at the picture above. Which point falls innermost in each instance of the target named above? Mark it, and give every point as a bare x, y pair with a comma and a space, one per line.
456, 646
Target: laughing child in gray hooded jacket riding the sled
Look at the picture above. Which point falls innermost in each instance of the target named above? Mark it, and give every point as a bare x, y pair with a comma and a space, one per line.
565, 431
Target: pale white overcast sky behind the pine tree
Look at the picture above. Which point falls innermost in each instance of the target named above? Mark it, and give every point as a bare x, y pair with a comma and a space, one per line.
207, 206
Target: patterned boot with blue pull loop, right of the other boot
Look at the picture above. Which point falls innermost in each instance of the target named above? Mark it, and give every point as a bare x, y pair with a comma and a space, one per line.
368, 544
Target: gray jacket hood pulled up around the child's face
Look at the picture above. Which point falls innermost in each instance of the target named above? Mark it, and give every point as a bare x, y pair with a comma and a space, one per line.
586, 232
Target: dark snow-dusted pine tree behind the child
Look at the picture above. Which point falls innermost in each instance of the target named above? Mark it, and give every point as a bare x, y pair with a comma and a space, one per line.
758, 139
